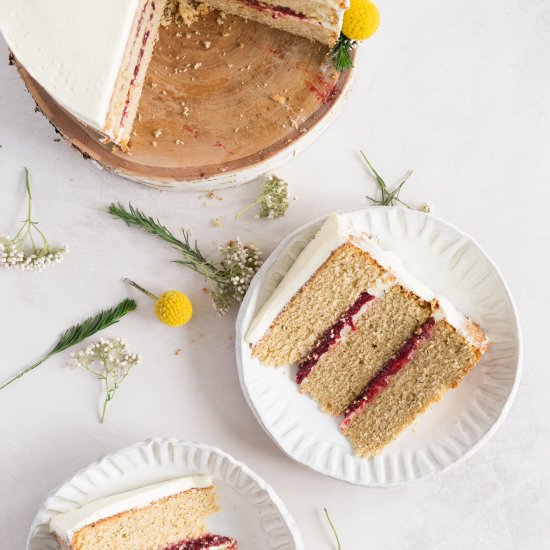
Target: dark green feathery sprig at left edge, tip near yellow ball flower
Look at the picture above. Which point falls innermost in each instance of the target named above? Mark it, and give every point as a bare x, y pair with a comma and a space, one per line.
80, 332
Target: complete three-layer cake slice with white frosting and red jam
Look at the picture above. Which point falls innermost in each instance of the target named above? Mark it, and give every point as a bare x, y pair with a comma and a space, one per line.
370, 339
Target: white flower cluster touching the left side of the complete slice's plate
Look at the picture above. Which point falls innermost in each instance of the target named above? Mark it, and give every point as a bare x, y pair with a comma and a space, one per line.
241, 262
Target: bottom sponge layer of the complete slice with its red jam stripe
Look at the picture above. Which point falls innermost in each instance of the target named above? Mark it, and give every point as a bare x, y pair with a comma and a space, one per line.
435, 358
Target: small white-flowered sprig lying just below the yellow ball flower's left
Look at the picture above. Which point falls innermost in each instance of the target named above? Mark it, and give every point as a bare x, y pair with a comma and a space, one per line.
109, 361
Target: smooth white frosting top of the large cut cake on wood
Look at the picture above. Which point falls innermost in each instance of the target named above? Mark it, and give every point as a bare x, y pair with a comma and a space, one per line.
72, 48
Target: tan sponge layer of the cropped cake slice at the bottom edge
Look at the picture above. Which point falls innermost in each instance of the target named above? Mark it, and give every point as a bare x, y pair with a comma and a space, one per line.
164, 522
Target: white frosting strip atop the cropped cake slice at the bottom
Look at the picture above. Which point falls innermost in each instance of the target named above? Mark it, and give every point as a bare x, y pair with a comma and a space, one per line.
65, 525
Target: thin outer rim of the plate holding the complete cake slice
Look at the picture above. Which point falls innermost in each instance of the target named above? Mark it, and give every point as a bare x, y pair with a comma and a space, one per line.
257, 281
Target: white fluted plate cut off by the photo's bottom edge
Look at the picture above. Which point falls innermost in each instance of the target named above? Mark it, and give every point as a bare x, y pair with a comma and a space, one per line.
251, 512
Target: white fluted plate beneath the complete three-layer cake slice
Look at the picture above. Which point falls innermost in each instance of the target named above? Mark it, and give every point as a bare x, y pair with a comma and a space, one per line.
452, 264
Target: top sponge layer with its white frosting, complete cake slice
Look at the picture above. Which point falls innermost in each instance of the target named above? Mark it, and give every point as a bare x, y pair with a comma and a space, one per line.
331, 273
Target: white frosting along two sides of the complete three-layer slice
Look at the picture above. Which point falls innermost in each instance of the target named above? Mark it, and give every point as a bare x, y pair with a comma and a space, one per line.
336, 231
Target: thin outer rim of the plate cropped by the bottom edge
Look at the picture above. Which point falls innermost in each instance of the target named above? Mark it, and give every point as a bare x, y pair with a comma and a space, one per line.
262, 484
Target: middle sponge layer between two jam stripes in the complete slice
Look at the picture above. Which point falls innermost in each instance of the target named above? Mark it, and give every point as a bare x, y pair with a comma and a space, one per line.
341, 374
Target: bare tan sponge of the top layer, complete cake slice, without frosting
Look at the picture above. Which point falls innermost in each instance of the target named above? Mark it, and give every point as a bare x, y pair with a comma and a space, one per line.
317, 305
